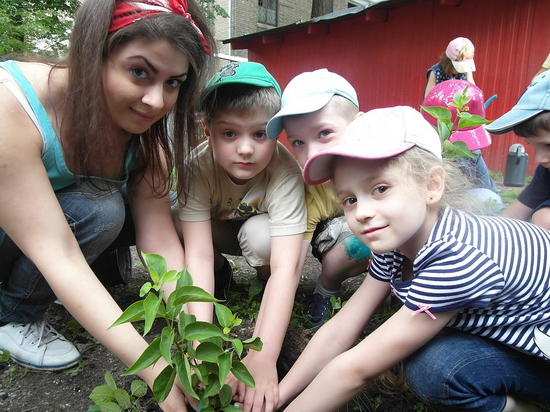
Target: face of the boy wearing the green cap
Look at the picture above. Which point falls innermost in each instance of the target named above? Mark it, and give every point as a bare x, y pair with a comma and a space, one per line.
240, 143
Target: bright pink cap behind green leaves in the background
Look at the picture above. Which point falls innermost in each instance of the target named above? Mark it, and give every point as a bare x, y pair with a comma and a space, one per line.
442, 95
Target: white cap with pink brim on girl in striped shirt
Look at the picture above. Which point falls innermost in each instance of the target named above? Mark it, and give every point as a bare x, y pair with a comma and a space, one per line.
377, 134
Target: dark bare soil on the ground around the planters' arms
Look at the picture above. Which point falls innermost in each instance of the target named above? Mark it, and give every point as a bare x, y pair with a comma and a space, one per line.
25, 390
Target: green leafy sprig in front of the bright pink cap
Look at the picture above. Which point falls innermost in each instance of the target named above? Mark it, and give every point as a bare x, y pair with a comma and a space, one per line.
446, 126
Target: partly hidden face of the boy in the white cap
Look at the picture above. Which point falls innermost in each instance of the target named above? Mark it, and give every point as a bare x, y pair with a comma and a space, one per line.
312, 132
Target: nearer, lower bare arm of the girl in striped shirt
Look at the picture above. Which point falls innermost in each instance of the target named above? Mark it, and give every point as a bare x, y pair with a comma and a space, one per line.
392, 342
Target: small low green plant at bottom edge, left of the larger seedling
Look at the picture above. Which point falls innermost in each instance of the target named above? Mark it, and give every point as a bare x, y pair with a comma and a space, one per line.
110, 398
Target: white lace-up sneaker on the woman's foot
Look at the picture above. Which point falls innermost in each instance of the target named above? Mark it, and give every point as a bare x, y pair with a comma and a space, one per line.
37, 345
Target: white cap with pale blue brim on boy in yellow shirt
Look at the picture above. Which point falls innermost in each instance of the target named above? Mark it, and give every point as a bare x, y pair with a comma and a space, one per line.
307, 93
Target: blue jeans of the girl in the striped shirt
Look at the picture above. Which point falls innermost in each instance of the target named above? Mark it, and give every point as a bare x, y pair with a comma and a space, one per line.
471, 373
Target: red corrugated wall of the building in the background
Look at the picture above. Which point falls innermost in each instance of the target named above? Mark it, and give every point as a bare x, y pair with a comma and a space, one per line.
386, 61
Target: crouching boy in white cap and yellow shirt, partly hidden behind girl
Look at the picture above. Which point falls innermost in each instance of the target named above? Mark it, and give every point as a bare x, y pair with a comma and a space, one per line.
316, 109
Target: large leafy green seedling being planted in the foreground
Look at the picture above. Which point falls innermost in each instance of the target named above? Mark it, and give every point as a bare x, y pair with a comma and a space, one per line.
203, 370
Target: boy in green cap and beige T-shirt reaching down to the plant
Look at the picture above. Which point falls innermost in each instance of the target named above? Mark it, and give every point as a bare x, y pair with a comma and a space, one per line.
247, 199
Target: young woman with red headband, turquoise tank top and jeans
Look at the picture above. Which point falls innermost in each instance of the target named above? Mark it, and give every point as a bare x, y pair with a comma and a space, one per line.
72, 134
